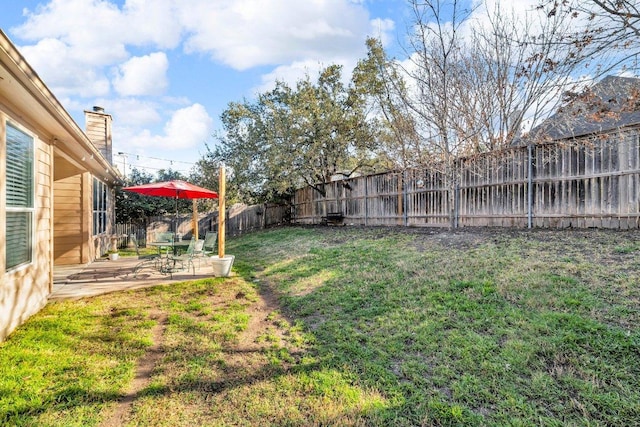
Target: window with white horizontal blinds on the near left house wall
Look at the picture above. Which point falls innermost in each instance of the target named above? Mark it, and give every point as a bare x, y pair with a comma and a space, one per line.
20, 189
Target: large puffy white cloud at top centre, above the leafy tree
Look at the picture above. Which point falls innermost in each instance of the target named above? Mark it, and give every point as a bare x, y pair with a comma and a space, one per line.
250, 33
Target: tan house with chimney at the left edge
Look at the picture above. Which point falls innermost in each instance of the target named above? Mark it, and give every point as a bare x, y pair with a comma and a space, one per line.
56, 188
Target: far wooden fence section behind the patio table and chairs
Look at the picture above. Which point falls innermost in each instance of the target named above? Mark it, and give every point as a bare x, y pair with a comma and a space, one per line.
241, 219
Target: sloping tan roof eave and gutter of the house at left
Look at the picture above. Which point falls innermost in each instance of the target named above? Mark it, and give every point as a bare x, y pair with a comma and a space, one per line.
27, 97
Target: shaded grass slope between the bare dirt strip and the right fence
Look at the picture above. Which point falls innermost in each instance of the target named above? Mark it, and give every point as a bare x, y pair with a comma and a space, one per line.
536, 327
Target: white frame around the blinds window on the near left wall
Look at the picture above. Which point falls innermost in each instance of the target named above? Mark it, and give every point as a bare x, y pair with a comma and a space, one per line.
29, 210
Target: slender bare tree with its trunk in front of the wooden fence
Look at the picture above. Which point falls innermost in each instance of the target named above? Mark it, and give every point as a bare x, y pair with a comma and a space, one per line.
434, 72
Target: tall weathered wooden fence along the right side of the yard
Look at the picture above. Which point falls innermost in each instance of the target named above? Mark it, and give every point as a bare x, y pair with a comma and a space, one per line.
592, 182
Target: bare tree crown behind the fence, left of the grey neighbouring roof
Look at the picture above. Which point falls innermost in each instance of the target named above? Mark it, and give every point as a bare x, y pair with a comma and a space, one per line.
518, 73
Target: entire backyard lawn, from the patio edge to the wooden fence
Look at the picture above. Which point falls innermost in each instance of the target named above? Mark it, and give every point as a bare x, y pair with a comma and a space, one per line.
351, 326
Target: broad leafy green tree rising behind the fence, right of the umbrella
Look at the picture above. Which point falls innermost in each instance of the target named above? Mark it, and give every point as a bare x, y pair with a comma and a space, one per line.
292, 137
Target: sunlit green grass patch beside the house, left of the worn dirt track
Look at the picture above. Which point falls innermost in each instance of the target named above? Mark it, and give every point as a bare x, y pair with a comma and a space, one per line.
67, 361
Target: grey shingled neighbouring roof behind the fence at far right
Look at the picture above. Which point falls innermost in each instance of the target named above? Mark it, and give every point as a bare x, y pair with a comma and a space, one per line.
611, 104
